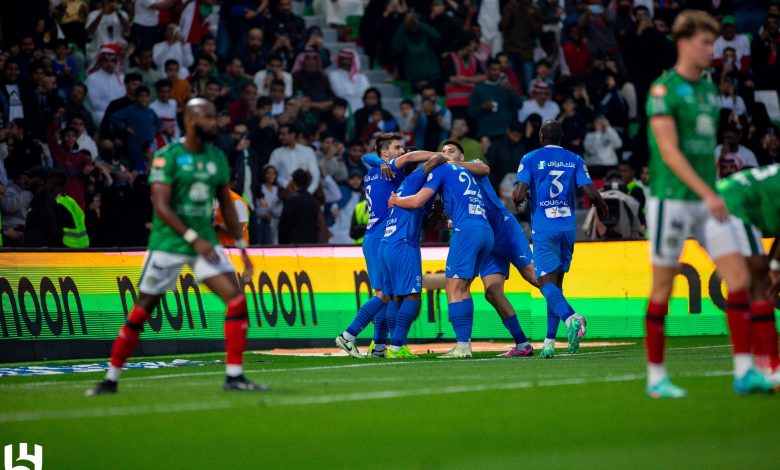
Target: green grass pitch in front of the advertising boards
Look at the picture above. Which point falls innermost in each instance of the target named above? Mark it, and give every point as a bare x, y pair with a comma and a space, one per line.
587, 410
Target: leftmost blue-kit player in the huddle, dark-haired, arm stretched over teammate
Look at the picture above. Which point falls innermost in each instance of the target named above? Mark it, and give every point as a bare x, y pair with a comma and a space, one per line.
379, 183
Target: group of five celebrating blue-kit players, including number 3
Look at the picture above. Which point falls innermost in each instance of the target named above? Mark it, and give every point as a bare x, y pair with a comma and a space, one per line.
401, 190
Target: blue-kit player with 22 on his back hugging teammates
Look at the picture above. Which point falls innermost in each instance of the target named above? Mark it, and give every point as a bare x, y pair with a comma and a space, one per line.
471, 243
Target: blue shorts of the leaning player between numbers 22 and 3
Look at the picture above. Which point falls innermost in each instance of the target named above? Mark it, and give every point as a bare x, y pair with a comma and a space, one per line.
510, 247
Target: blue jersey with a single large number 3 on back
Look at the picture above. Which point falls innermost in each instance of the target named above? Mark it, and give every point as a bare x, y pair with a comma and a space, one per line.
553, 175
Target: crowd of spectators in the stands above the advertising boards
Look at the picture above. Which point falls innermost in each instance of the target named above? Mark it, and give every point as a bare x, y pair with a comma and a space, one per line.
89, 90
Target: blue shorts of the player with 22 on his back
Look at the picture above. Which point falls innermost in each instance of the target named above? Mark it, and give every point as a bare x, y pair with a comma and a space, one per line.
468, 250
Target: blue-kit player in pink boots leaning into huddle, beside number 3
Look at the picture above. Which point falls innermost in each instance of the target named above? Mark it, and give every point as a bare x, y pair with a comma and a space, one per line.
510, 246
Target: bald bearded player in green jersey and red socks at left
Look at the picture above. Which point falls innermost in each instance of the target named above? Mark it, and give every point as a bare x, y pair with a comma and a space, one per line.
186, 176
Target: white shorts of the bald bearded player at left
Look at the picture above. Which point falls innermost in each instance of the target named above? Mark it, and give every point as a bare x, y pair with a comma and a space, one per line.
161, 270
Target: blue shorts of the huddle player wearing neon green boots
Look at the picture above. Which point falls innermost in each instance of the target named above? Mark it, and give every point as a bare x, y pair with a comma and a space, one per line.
403, 268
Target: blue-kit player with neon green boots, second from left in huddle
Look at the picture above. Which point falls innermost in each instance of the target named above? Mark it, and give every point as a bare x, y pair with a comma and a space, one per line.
403, 263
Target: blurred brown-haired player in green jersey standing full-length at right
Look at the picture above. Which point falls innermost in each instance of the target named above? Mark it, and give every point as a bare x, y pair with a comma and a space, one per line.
684, 109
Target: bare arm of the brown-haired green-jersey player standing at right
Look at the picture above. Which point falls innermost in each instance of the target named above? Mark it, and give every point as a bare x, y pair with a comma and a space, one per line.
668, 144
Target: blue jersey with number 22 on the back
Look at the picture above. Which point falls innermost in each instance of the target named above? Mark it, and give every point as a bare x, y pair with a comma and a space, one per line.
461, 194
